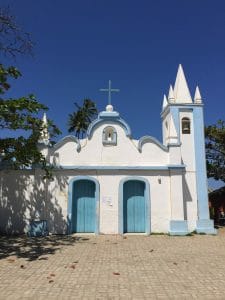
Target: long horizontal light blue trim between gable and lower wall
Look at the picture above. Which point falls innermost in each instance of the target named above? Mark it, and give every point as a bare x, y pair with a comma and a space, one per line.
141, 168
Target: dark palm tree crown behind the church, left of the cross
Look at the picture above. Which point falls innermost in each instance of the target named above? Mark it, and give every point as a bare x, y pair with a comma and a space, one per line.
82, 117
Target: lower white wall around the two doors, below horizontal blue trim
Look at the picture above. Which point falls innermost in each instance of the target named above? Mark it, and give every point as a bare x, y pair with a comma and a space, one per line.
25, 196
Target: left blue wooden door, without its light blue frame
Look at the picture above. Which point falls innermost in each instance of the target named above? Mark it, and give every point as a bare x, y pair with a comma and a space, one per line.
84, 206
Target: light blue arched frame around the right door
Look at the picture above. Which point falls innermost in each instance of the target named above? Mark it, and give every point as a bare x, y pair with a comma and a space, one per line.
147, 203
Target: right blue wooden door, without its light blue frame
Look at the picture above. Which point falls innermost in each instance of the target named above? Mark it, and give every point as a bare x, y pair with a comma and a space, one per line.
134, 206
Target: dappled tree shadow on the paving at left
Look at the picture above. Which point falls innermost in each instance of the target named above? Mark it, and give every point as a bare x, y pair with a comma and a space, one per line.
35, 248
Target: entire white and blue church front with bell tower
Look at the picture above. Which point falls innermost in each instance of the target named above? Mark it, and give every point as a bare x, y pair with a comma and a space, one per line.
110, 183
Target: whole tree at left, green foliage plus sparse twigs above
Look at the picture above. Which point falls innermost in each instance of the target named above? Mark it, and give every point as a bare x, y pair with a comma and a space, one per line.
19, 118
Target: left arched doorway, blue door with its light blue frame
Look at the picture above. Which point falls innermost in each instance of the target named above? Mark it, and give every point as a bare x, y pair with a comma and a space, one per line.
83, 205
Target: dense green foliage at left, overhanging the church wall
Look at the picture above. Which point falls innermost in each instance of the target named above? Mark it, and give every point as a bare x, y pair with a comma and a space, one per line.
22, 114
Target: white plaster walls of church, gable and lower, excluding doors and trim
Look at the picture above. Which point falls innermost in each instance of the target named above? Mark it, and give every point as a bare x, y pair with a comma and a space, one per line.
26, 196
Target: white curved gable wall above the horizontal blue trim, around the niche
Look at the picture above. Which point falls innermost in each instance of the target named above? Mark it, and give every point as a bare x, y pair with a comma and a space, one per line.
93, 152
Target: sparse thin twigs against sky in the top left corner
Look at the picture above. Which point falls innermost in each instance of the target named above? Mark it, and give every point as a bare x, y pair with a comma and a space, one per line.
13, 40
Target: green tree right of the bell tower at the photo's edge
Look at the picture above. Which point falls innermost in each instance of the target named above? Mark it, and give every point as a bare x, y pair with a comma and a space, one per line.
215, 150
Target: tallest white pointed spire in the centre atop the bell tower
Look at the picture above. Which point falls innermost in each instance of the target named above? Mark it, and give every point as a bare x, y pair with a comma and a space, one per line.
181, 90
